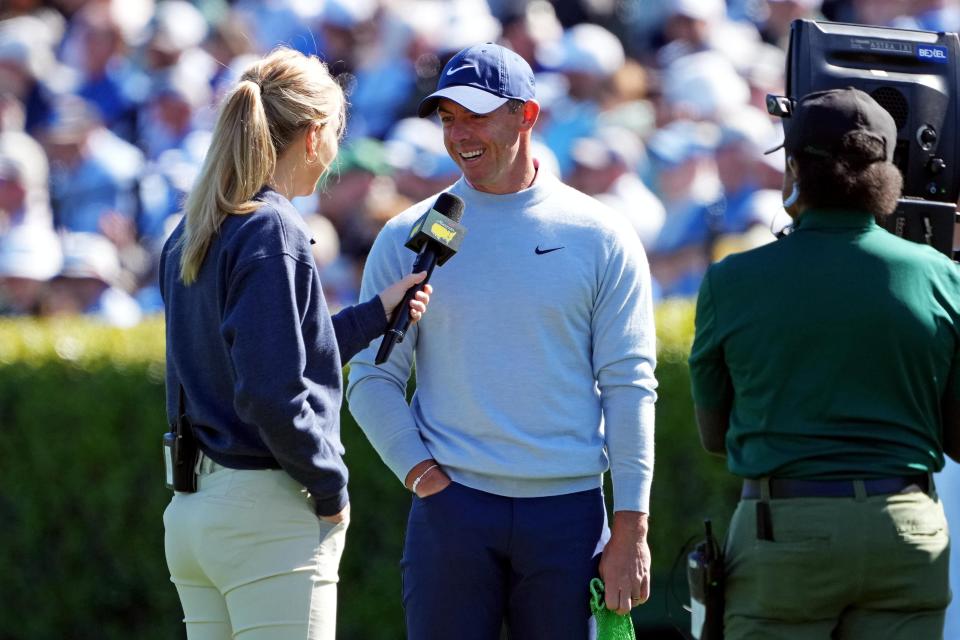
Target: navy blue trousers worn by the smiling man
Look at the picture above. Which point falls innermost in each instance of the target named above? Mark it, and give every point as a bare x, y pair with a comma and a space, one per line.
473, 561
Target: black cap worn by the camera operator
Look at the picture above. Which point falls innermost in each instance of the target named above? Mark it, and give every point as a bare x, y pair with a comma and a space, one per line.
821, 119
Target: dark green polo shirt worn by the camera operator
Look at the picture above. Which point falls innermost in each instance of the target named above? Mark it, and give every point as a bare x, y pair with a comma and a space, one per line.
835, 346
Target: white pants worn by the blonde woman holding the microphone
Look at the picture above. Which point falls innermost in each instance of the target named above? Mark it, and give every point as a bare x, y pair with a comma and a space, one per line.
250, 560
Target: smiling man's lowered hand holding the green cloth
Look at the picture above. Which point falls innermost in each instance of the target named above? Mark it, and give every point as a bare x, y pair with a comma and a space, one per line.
625, 562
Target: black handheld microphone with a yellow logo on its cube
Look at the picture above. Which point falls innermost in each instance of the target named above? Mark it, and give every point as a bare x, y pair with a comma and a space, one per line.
435, 237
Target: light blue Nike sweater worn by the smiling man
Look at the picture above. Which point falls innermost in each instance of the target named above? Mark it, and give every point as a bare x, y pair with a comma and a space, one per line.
535, 359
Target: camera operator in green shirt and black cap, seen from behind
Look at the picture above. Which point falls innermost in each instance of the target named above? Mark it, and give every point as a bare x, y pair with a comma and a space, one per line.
825, 367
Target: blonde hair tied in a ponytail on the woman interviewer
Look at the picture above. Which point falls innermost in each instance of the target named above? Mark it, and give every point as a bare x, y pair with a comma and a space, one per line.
275, 98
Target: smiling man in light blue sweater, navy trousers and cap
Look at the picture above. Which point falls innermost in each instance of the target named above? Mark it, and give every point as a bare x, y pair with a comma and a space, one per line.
534, 377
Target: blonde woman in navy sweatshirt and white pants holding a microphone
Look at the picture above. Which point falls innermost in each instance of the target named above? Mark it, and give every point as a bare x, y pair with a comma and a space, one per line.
257, 357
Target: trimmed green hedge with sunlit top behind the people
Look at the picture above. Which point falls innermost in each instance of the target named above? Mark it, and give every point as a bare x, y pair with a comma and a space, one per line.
81, 414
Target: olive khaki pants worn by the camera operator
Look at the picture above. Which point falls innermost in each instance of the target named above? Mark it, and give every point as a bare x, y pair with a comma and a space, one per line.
873, 568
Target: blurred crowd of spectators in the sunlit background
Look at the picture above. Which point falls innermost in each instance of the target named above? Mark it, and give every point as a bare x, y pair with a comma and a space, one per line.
655, 107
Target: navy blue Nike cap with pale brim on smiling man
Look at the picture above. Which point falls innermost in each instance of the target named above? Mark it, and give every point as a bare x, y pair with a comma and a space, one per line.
481, 78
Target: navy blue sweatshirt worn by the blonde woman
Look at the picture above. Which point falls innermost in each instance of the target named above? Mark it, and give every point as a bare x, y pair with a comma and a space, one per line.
257, 353
